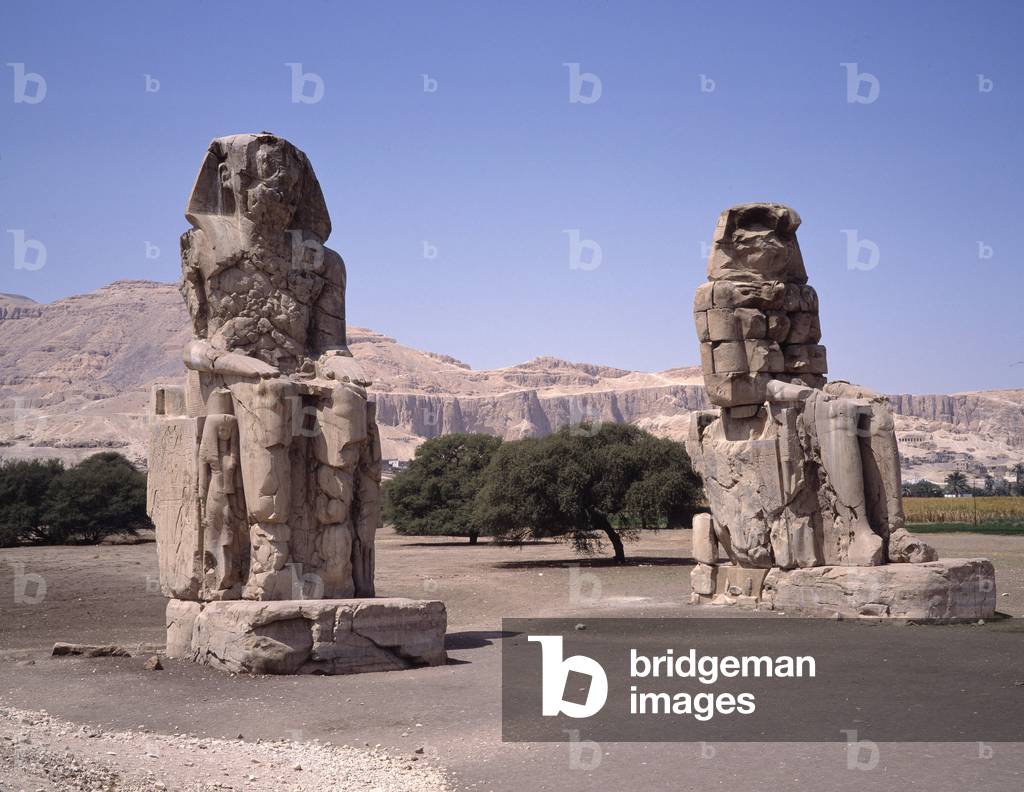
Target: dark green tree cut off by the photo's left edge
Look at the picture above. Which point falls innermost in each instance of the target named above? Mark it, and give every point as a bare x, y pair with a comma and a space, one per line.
23, 494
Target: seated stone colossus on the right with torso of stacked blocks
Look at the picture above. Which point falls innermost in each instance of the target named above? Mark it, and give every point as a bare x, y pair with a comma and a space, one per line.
799, 473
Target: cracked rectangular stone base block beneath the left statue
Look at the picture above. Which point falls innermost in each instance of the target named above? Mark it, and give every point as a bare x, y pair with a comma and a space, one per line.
309, 637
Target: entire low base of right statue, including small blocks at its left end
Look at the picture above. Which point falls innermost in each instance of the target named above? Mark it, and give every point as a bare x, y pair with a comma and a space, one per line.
952, 591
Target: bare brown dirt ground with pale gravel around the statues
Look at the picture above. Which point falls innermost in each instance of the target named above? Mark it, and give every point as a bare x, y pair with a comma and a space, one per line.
110, 724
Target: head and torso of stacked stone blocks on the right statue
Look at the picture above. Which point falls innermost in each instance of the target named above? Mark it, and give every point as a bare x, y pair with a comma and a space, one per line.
757, 319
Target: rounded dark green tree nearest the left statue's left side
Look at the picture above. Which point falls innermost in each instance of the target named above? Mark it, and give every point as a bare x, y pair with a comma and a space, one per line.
101, 496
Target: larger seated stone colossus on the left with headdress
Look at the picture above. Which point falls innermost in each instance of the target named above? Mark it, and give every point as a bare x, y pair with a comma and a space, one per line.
265, 480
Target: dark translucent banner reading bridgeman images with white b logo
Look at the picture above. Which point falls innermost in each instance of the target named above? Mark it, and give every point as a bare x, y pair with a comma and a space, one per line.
760, 680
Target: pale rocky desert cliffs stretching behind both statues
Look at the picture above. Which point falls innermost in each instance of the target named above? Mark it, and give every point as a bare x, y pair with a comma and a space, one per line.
75, 377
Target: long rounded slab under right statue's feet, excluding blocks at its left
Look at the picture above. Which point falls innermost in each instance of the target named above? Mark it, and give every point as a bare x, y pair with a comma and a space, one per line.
956, 590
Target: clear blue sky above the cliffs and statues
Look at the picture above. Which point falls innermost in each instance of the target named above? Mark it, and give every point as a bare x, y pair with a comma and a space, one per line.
452, 194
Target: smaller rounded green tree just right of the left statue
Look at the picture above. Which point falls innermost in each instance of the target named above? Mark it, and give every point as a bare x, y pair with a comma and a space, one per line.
435, 495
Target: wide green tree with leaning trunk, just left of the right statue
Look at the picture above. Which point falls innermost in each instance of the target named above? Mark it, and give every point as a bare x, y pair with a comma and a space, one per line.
587, 483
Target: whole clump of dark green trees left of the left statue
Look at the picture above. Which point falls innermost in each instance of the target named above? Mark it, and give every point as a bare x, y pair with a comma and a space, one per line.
44, 503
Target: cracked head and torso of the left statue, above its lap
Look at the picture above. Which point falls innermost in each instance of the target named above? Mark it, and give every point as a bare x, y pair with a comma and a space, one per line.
257, 275
